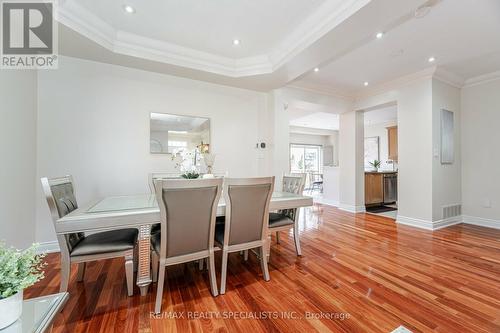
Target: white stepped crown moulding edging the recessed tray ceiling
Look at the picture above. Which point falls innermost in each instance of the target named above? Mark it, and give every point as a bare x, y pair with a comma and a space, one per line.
325, 18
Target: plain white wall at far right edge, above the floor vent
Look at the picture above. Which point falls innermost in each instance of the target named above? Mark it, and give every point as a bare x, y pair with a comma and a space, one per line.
481, 153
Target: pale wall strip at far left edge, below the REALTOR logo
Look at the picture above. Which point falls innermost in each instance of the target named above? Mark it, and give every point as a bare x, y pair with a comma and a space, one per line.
18, 157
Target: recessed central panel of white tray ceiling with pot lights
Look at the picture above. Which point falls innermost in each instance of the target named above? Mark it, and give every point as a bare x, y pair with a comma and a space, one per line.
208, 26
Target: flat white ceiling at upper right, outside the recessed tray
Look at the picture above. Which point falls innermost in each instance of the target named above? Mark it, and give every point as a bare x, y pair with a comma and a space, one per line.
462, 35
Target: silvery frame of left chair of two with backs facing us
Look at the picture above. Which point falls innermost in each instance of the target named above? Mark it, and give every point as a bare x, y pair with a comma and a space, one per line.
160, 263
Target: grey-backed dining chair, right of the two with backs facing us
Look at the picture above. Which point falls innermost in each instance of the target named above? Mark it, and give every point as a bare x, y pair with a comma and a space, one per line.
247, 214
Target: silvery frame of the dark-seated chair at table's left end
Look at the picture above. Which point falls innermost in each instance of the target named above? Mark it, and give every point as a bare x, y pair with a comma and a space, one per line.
66, 259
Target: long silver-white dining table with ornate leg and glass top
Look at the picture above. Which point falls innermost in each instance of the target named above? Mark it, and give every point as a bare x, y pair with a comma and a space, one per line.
141, 212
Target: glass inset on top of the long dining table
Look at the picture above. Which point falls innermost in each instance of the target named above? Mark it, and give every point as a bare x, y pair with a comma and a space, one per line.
148, 201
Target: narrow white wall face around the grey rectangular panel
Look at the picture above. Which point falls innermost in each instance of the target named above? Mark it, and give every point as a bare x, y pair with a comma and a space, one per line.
446, 178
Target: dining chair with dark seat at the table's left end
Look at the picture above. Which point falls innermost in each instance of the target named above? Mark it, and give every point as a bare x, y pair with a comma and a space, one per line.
80, 248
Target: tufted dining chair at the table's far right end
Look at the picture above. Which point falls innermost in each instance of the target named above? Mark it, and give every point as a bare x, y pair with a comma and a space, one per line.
287, 219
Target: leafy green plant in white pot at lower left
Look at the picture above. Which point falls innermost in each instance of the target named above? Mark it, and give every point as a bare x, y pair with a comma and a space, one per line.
18, 270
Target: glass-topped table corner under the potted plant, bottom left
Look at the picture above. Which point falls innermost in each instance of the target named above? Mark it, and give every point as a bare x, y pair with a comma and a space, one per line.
37, 314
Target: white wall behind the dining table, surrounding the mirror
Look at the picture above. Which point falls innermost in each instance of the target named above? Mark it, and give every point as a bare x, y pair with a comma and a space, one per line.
93, 123
